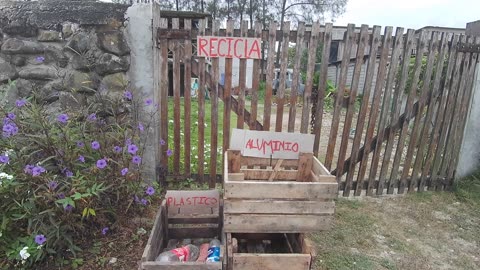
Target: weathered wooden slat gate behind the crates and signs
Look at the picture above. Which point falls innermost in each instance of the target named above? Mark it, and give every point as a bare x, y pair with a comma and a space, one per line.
397, 120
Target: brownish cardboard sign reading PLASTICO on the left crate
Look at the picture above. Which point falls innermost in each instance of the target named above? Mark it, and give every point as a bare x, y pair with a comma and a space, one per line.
192, 202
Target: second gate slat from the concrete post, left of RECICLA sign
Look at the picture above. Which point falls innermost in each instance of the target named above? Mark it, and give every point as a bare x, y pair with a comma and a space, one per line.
176, 99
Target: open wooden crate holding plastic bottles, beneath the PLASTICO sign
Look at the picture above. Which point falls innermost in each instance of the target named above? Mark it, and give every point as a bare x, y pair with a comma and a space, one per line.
172, 223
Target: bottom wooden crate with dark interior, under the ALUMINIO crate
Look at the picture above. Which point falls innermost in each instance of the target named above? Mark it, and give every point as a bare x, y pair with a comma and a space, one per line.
298, 253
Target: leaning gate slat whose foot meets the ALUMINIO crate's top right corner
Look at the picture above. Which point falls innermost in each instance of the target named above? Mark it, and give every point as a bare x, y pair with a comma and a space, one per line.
348, 41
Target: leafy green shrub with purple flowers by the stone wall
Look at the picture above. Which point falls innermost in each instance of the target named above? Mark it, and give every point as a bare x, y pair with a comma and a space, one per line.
64, 178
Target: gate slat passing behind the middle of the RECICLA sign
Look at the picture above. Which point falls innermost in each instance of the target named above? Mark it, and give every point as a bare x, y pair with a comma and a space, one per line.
227, 92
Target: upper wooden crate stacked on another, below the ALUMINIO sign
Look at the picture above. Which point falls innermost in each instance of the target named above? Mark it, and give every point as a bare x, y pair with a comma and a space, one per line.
299, 197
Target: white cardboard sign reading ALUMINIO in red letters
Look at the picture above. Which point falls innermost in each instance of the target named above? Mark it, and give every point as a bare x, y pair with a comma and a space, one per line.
271, 144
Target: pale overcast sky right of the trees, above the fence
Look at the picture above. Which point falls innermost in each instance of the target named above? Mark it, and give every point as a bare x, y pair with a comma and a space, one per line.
411, 13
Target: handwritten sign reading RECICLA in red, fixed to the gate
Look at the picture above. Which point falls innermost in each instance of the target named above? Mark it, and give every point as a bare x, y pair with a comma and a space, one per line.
229, 47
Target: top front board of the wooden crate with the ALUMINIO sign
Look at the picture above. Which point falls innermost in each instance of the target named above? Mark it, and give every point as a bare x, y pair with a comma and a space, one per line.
280, 190
